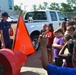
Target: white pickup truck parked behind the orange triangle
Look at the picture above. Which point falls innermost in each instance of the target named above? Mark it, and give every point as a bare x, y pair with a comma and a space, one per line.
35, 19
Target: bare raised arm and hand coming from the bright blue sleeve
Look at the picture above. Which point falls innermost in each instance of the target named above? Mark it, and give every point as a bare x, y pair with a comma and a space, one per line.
43, 44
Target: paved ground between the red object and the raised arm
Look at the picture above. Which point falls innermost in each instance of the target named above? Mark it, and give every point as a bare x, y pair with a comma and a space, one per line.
33, 65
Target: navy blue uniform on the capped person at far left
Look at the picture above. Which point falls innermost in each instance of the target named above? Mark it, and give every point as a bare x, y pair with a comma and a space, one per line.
4, 26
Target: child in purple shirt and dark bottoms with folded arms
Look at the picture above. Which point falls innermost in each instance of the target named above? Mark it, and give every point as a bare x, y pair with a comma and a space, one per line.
57, 45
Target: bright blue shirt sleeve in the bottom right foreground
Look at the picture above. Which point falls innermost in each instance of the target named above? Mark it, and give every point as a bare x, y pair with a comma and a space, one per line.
55, 70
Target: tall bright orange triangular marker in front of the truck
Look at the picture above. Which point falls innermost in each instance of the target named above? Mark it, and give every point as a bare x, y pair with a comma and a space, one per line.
22, 40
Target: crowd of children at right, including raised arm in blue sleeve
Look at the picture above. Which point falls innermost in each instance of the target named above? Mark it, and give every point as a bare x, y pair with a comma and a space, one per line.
53, 46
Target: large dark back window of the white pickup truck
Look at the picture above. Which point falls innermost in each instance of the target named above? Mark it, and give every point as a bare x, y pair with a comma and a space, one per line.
36, 15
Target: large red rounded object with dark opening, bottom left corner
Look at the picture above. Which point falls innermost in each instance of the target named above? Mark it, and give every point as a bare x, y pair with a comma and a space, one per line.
11, 62
